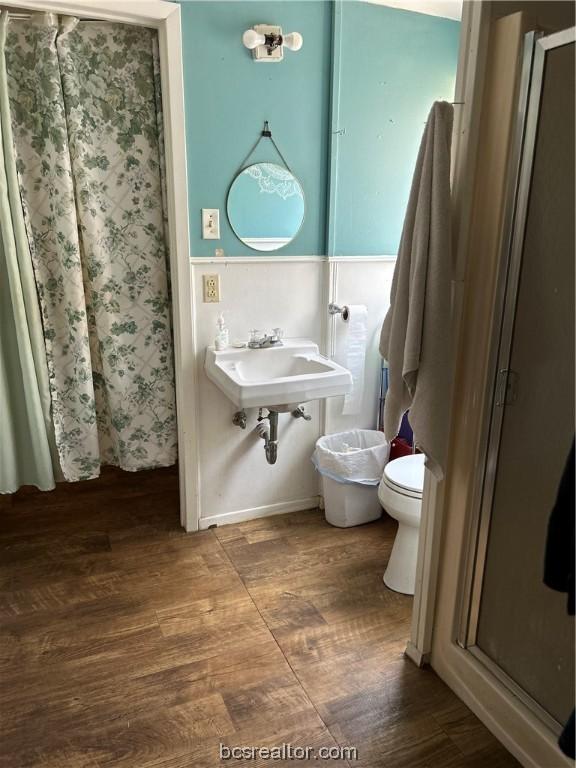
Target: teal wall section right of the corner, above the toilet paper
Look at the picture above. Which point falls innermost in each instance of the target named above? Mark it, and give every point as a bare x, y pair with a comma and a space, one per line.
393, 65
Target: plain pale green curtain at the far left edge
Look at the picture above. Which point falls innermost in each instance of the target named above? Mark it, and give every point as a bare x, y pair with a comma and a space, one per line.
27, 448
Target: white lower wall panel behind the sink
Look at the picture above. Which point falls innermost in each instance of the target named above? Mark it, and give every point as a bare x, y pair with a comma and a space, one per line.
235, 478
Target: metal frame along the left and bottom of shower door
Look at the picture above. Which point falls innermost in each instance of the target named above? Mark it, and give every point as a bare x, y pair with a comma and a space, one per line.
536, 47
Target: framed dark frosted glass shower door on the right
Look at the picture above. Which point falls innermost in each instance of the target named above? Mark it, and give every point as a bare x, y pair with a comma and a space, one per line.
515, 624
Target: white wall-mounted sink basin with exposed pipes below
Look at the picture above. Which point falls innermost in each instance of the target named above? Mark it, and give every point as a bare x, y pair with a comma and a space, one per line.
279, 378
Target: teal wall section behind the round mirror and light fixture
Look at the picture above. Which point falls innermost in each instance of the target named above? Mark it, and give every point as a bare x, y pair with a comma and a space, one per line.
228, 97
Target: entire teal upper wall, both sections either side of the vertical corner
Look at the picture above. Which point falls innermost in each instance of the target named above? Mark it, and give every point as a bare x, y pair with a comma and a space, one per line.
393, 65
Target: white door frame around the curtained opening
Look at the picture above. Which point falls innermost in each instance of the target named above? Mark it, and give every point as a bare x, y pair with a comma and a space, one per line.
165, 18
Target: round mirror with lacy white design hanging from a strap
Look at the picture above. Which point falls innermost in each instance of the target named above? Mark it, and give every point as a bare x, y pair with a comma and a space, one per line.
265, 206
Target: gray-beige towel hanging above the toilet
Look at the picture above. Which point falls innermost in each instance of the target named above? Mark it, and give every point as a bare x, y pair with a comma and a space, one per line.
416, 334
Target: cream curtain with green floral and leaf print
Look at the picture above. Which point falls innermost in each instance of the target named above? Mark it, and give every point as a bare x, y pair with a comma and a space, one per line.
85, 108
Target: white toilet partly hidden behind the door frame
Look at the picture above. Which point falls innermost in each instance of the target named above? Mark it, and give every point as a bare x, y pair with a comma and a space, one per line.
400, 493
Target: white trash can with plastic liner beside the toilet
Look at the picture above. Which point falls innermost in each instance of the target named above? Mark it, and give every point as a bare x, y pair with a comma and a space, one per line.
351, 464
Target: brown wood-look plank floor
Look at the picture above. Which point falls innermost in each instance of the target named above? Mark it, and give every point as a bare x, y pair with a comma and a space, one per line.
125, 642
